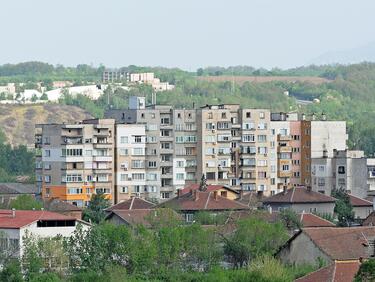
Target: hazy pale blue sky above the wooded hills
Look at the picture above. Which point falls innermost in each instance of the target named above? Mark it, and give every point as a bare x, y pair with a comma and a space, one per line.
186, 34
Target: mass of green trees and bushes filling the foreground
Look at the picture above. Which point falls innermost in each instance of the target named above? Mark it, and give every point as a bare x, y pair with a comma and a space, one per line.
167, 252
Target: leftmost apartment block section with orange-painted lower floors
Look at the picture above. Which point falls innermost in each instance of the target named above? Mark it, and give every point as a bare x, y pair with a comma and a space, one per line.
75, 160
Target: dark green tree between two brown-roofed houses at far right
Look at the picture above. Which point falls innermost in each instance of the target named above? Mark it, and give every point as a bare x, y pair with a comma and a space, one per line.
343, 207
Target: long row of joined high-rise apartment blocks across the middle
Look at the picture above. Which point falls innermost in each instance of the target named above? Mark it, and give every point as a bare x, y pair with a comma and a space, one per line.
151, 151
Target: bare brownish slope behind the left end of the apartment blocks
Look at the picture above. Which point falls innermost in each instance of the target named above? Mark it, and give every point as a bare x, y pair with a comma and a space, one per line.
18, 121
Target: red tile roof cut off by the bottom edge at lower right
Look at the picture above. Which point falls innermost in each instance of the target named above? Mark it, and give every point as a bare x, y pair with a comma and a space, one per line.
339, 271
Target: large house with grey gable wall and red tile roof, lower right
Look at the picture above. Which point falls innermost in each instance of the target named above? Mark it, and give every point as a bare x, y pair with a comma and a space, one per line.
330, 244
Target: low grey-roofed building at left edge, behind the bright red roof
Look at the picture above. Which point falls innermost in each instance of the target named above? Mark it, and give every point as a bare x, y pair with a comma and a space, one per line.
10, 191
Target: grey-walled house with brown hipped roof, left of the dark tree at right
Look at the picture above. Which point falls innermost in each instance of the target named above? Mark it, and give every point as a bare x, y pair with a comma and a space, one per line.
300, 200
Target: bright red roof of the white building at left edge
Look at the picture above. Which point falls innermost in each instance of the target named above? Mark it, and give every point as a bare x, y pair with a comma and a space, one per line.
26, 217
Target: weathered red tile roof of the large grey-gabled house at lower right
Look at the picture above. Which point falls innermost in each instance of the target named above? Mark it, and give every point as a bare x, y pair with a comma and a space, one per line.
335, 241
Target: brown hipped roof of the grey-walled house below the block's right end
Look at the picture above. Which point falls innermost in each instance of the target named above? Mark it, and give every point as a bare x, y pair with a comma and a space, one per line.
299, 195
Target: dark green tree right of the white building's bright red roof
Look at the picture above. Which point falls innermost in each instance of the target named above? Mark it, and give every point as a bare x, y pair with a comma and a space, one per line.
95, 211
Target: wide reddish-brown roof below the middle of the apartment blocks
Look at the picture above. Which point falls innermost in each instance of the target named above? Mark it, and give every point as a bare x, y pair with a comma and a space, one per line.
197, 200
